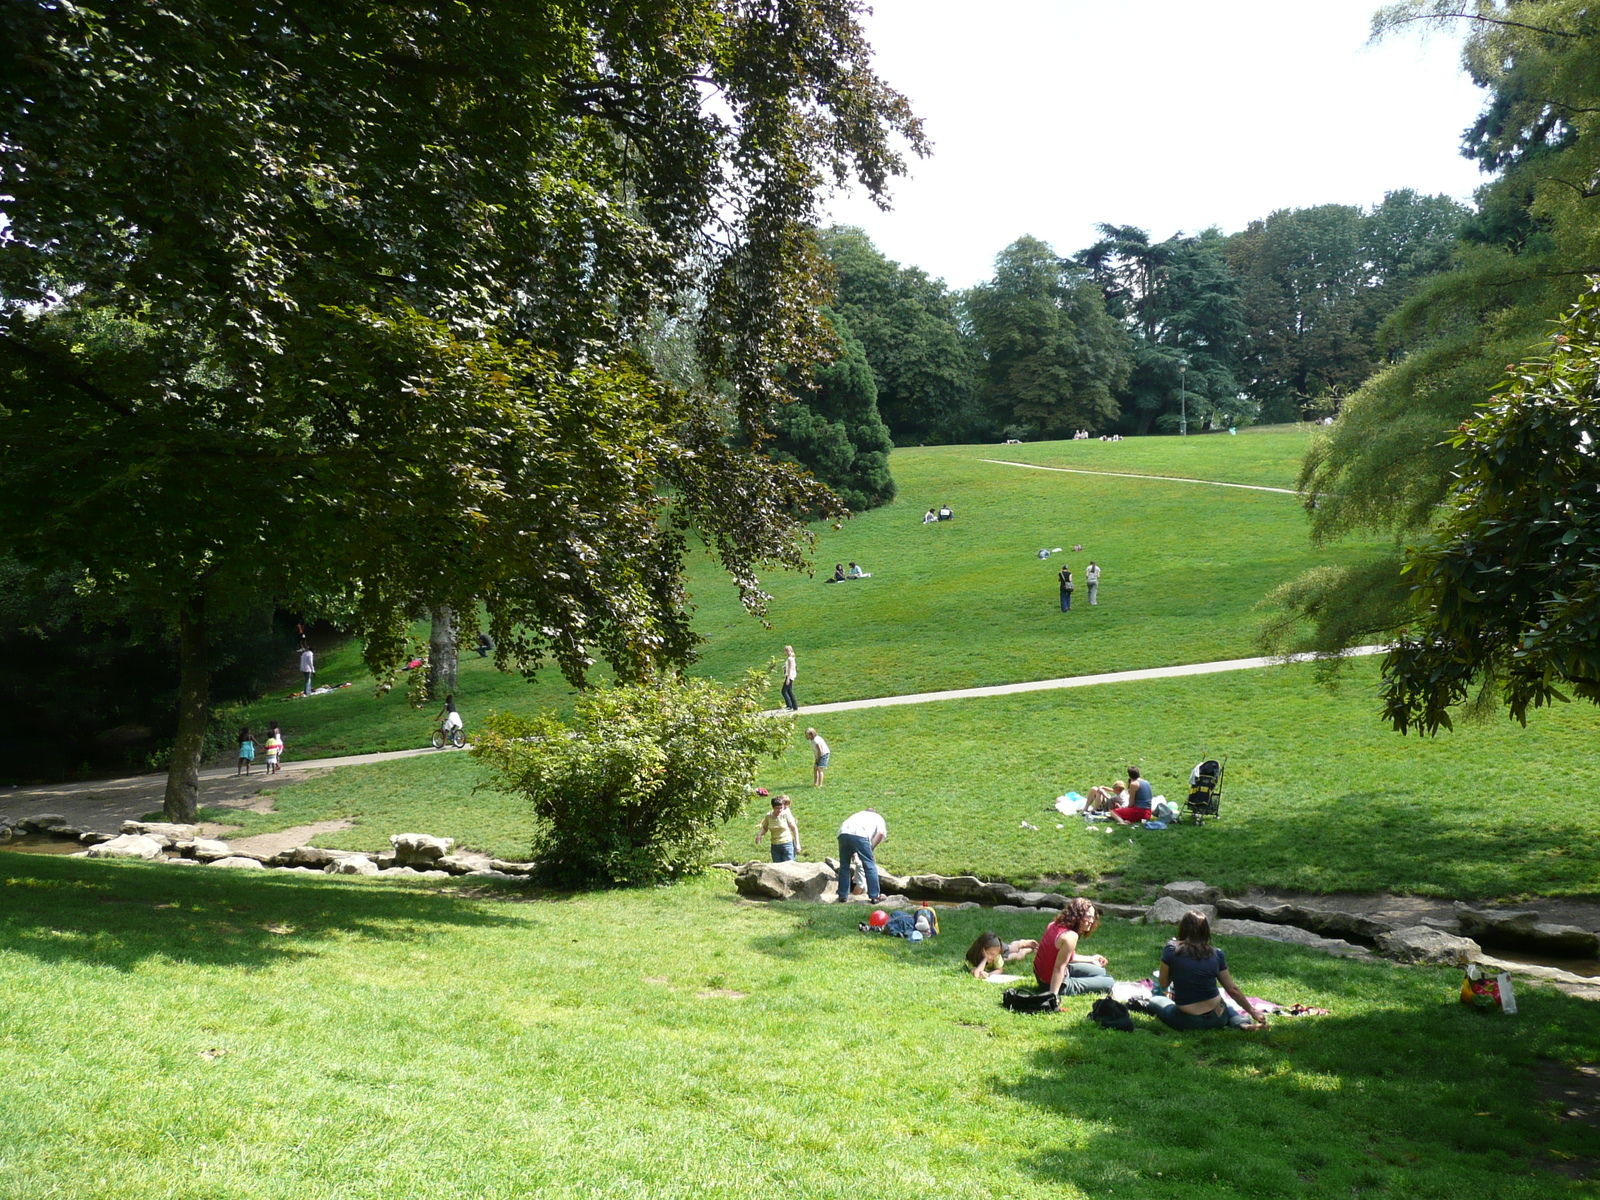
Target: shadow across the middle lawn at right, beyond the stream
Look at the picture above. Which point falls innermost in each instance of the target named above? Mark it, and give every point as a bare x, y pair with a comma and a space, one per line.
1364, 842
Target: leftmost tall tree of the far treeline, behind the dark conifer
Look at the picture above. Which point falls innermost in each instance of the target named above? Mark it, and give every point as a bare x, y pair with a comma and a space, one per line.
911, 334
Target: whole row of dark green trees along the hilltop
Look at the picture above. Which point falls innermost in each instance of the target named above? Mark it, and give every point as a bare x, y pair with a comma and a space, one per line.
1278, 322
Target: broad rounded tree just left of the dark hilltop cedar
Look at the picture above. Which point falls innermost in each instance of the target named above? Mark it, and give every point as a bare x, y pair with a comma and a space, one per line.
1054, 358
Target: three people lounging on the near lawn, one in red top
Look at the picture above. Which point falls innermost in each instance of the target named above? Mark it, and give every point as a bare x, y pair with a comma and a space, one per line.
1190, 988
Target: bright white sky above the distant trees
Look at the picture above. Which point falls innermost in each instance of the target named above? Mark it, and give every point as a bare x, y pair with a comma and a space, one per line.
1050, 116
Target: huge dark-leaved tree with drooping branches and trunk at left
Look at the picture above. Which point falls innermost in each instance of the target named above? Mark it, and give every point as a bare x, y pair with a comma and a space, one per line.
338, 302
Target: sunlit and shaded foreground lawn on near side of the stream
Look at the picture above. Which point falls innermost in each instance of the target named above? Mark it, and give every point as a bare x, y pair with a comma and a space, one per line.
201, 1034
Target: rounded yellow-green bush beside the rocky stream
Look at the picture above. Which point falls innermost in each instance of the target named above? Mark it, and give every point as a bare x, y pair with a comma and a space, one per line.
642, 782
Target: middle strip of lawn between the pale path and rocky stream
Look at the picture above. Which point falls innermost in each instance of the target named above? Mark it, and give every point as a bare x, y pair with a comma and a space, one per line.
1318, 796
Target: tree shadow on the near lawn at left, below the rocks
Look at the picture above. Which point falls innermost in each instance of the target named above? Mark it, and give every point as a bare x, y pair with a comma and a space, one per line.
113, 914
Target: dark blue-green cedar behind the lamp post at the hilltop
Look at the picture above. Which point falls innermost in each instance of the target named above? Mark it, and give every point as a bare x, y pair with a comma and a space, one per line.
1182, 308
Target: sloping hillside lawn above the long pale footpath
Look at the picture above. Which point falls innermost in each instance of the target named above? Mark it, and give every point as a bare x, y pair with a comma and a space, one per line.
961, 604
